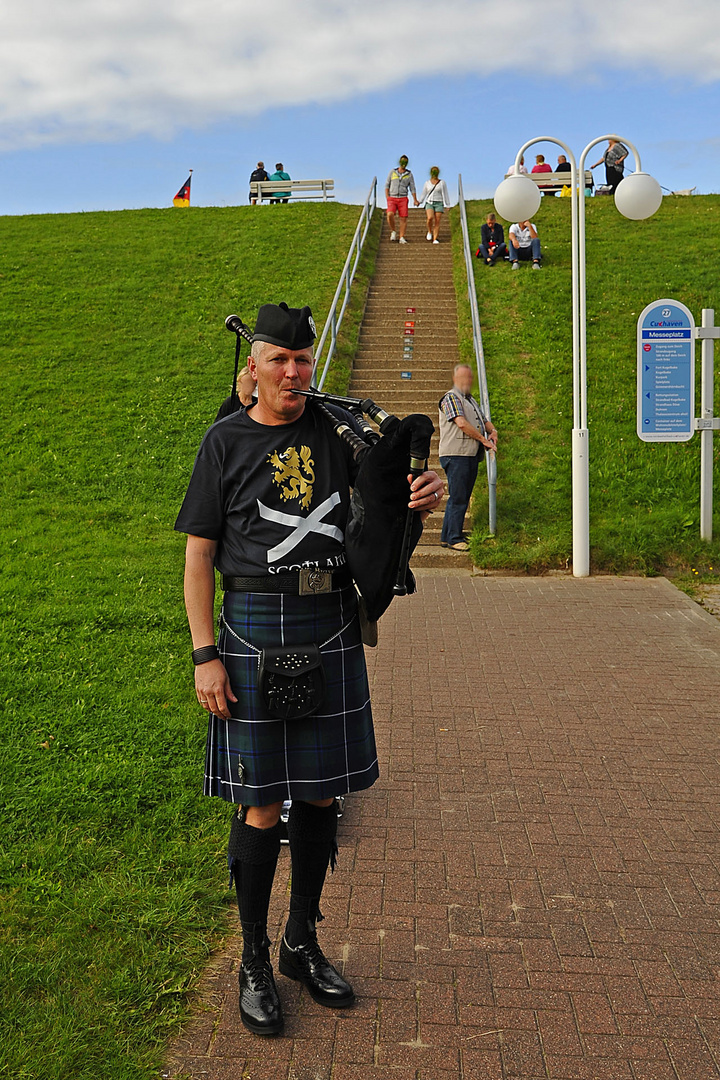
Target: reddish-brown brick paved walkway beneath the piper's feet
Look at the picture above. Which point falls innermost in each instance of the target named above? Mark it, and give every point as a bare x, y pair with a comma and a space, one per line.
533, 889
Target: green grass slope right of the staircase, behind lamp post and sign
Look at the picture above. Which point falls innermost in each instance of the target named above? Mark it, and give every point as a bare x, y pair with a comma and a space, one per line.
644, 498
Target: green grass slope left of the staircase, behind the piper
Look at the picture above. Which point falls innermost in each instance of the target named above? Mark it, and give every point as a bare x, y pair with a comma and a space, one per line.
115, 360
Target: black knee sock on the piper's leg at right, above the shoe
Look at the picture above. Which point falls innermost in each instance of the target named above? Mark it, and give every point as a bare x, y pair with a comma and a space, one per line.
311, 832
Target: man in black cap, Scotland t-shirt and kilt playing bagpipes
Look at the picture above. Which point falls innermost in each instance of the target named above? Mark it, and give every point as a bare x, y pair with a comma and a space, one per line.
286, 687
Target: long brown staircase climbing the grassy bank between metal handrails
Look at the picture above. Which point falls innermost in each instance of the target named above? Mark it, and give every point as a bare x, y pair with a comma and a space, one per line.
411, 326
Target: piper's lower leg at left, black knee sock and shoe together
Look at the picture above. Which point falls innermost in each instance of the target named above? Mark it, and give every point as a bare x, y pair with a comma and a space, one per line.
252, 860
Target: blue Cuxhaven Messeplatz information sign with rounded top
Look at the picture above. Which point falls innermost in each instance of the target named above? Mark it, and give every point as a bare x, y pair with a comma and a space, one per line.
667, 373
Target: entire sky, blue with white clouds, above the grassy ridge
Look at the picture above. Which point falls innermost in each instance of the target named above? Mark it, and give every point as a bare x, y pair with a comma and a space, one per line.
107, 104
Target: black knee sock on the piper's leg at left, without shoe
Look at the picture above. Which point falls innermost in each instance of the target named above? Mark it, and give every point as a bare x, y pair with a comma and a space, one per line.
252, 860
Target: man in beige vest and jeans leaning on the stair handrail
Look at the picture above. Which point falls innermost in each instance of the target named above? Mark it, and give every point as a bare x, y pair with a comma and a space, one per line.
466, 435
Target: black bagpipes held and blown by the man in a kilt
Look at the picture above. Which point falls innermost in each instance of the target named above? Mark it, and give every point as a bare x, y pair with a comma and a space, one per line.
383, 532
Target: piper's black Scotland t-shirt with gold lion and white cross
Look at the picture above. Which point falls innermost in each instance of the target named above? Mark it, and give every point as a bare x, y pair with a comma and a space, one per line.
275, 498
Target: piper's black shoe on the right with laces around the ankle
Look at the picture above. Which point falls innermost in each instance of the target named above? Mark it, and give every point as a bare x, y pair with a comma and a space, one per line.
307, 963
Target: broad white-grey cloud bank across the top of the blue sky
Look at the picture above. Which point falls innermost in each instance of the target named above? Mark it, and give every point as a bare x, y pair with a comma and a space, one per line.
106, 70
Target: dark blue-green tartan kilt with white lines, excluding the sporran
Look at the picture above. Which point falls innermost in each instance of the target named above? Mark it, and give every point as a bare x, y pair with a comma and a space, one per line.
256, 761
